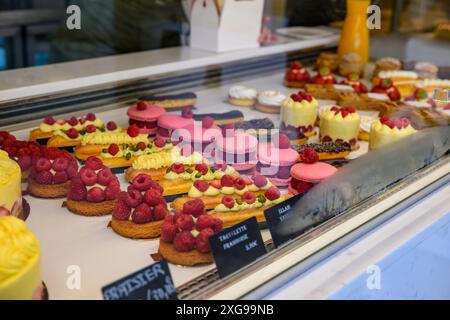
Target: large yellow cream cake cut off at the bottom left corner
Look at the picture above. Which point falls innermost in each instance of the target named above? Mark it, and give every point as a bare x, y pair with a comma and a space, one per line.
20, 271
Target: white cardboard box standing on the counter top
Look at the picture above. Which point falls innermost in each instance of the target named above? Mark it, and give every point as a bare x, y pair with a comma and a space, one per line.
232, 26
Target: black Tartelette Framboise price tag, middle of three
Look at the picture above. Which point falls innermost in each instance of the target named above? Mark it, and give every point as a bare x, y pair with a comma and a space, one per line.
236, 247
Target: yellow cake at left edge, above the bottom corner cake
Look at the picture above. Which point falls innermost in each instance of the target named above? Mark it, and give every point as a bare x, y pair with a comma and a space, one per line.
10, 186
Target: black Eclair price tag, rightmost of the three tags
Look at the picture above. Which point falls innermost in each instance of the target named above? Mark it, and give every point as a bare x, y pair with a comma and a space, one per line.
279, 219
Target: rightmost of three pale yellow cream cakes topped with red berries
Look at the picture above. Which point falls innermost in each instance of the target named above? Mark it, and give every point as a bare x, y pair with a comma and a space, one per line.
387, 130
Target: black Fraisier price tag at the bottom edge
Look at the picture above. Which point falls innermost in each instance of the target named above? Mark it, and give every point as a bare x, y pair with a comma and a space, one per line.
151, 283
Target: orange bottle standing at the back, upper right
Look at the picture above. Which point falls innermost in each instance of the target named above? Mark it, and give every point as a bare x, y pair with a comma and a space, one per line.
355, 34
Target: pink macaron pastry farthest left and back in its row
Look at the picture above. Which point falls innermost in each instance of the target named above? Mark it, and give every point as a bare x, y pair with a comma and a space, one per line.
145, 116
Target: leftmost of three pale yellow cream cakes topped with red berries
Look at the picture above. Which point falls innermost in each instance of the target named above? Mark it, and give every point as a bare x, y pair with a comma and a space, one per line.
299, 114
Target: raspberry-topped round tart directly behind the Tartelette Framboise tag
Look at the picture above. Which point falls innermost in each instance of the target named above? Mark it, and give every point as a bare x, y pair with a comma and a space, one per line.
184, 235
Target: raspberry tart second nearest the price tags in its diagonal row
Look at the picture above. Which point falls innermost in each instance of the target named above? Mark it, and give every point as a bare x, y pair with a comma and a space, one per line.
140, 211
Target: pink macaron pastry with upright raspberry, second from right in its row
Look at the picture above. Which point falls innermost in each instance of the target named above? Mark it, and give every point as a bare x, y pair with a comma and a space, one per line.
276, 160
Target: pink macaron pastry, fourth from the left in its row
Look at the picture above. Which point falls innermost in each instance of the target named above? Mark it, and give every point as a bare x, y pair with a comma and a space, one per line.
238, 150
